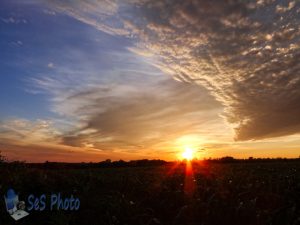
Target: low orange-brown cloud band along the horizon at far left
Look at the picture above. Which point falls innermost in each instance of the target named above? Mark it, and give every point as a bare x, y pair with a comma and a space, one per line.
40, 140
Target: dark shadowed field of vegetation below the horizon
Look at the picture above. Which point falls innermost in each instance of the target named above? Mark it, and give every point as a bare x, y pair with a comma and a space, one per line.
227, 191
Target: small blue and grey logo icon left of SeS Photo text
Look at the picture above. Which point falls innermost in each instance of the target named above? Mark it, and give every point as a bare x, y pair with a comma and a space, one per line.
14, 207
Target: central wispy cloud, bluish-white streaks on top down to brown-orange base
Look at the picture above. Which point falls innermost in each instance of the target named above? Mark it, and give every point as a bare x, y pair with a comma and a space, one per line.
129, 109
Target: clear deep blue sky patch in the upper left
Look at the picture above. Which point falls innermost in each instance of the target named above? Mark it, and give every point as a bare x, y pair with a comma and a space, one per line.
35, 40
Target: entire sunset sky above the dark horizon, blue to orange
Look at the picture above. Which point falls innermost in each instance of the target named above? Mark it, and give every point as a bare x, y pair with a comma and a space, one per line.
90, 80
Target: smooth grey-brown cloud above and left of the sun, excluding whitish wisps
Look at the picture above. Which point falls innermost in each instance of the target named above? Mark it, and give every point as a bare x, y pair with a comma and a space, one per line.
152, 112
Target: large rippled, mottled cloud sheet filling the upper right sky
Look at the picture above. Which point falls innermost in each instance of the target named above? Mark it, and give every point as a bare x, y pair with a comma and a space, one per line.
244, 52
